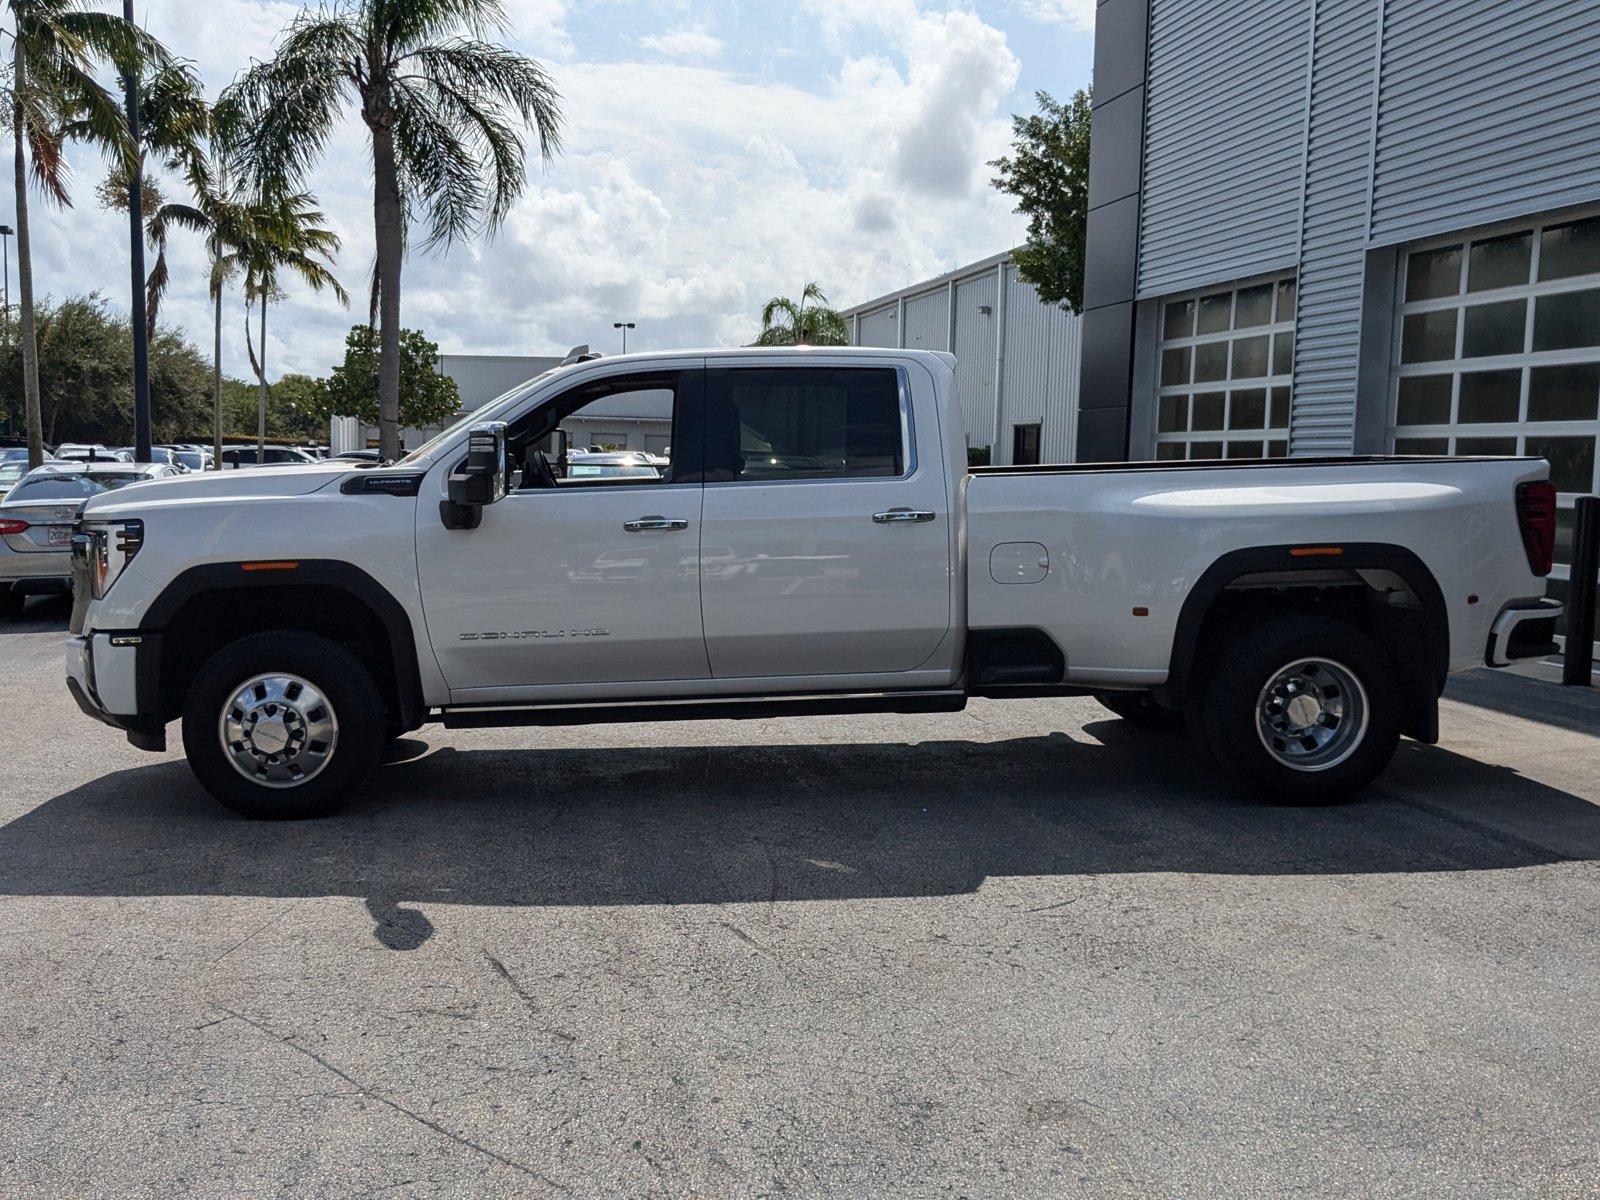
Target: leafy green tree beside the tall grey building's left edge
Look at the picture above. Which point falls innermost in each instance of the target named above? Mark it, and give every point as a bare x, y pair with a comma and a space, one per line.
1049, 174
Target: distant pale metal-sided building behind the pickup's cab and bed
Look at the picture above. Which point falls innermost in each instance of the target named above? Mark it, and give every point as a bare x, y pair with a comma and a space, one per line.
1017, 359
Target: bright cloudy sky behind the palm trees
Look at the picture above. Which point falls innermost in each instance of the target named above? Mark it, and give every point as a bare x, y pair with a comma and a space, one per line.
716, 153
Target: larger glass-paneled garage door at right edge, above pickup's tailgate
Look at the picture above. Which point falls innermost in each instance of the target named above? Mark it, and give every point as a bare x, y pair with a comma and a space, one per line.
1498, 353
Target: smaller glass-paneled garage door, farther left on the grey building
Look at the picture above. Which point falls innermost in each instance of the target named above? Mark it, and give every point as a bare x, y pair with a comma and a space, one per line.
1226, 366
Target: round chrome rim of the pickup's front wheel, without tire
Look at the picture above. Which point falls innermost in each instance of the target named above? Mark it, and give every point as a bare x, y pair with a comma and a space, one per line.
279, 730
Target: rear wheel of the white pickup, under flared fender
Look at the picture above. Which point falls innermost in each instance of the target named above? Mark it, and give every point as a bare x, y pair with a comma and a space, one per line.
1231, 724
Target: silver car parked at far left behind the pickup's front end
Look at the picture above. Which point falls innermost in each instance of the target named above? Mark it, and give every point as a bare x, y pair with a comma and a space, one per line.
38, 516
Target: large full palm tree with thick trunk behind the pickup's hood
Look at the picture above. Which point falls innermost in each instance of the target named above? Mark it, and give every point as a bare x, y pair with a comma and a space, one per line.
446, 111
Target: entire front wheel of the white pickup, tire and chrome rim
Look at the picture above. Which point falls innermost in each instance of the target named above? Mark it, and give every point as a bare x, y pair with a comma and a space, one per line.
284, 726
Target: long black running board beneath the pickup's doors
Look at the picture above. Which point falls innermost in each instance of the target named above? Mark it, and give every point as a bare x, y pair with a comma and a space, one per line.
734, 708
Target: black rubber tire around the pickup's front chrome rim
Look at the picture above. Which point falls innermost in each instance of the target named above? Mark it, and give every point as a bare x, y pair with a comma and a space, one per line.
327, 666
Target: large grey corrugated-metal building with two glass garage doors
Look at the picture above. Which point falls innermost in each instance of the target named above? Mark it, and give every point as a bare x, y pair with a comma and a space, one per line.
1346, 226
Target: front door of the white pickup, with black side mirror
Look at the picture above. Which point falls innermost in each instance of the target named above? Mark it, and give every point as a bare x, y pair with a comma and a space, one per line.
588, 572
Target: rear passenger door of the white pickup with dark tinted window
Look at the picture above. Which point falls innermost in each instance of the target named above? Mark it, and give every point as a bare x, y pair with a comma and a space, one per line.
826, 530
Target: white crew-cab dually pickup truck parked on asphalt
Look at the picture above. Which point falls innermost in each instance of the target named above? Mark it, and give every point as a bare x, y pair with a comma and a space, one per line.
814, 542
